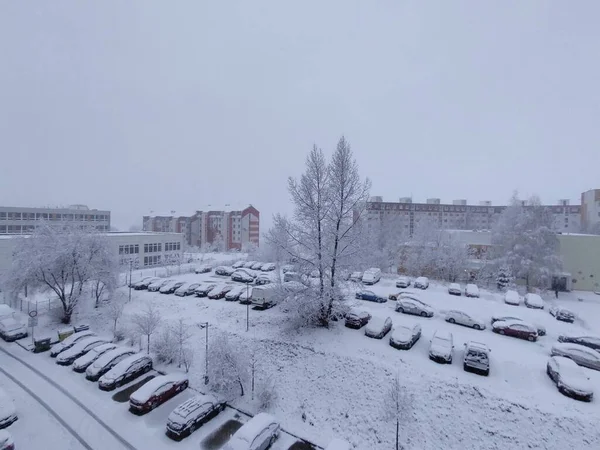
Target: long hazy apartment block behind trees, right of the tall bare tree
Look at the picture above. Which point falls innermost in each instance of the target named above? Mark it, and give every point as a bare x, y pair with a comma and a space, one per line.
459, 215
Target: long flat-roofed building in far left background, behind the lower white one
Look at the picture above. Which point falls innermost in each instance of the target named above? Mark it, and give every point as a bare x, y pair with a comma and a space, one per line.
17, 220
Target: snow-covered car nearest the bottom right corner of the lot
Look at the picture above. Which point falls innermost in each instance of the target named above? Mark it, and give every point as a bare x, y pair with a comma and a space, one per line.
569, 378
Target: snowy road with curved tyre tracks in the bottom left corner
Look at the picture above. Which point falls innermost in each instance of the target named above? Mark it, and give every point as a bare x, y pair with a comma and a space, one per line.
91, 432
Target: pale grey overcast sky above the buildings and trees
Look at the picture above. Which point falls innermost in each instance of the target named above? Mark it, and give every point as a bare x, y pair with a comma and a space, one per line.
171, 105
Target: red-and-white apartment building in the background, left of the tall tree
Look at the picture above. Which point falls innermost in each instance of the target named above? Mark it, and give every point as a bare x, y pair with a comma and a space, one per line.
232, 228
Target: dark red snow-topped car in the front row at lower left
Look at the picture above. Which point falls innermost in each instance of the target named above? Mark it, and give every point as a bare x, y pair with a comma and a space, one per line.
157, 391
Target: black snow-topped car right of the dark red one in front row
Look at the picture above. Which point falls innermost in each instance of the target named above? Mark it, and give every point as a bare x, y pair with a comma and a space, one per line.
192, 414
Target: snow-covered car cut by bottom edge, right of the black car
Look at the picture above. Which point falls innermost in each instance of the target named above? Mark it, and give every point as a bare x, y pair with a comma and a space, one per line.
258, 433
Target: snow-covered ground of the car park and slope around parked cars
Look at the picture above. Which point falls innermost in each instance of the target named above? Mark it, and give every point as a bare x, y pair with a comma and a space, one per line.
333, 382
